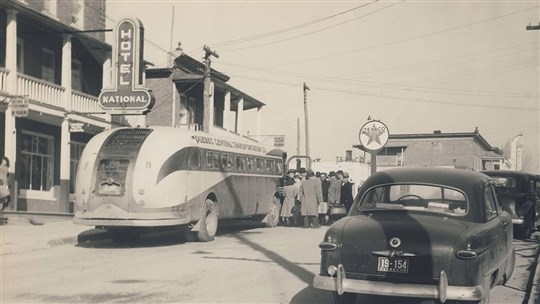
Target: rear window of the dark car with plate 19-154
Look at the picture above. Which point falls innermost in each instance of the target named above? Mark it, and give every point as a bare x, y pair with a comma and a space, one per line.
418, 197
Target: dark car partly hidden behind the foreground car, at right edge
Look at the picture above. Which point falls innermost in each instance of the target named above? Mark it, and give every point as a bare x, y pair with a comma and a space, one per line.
518, 196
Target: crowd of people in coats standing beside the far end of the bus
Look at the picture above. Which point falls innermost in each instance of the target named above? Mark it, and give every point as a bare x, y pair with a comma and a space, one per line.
315, 198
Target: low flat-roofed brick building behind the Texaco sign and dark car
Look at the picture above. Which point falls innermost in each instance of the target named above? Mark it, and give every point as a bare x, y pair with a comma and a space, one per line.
468, 150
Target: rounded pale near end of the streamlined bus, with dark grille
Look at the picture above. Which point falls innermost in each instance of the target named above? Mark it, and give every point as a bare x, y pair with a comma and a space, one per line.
118, 181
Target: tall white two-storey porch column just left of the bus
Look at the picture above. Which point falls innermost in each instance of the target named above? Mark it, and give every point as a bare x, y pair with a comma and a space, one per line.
65, 136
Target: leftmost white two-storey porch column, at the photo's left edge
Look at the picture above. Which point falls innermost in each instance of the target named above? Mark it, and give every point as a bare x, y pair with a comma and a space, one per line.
10, 139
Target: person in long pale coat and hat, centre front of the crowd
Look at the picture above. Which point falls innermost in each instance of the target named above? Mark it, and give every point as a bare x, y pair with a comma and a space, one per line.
310, 195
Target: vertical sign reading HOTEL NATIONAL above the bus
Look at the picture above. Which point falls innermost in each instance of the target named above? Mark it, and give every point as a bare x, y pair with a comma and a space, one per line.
128, 95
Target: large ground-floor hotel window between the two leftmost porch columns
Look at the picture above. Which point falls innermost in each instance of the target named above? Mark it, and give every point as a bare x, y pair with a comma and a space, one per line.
37, 161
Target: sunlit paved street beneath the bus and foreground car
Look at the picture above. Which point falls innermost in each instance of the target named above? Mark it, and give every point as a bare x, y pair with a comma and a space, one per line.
59, 262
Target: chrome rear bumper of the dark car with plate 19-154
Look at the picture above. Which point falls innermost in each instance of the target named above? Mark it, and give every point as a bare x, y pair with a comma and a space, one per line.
442, 292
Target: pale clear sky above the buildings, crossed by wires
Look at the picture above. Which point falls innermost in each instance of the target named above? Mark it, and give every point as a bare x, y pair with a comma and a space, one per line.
417, 66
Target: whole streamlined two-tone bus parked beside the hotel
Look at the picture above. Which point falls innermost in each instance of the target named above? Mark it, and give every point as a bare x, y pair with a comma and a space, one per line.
131, 179
